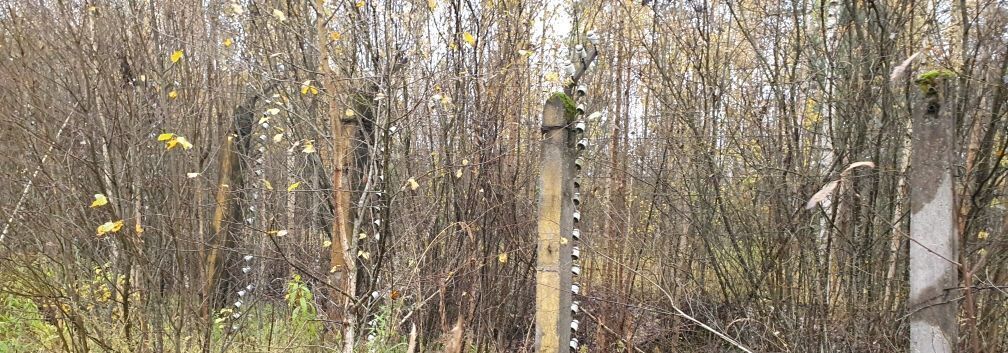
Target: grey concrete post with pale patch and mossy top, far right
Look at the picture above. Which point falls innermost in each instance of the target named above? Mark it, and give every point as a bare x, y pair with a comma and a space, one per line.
934, 245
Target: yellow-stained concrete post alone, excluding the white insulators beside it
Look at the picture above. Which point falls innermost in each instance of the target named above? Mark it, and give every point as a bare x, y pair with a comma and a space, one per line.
553, 272
